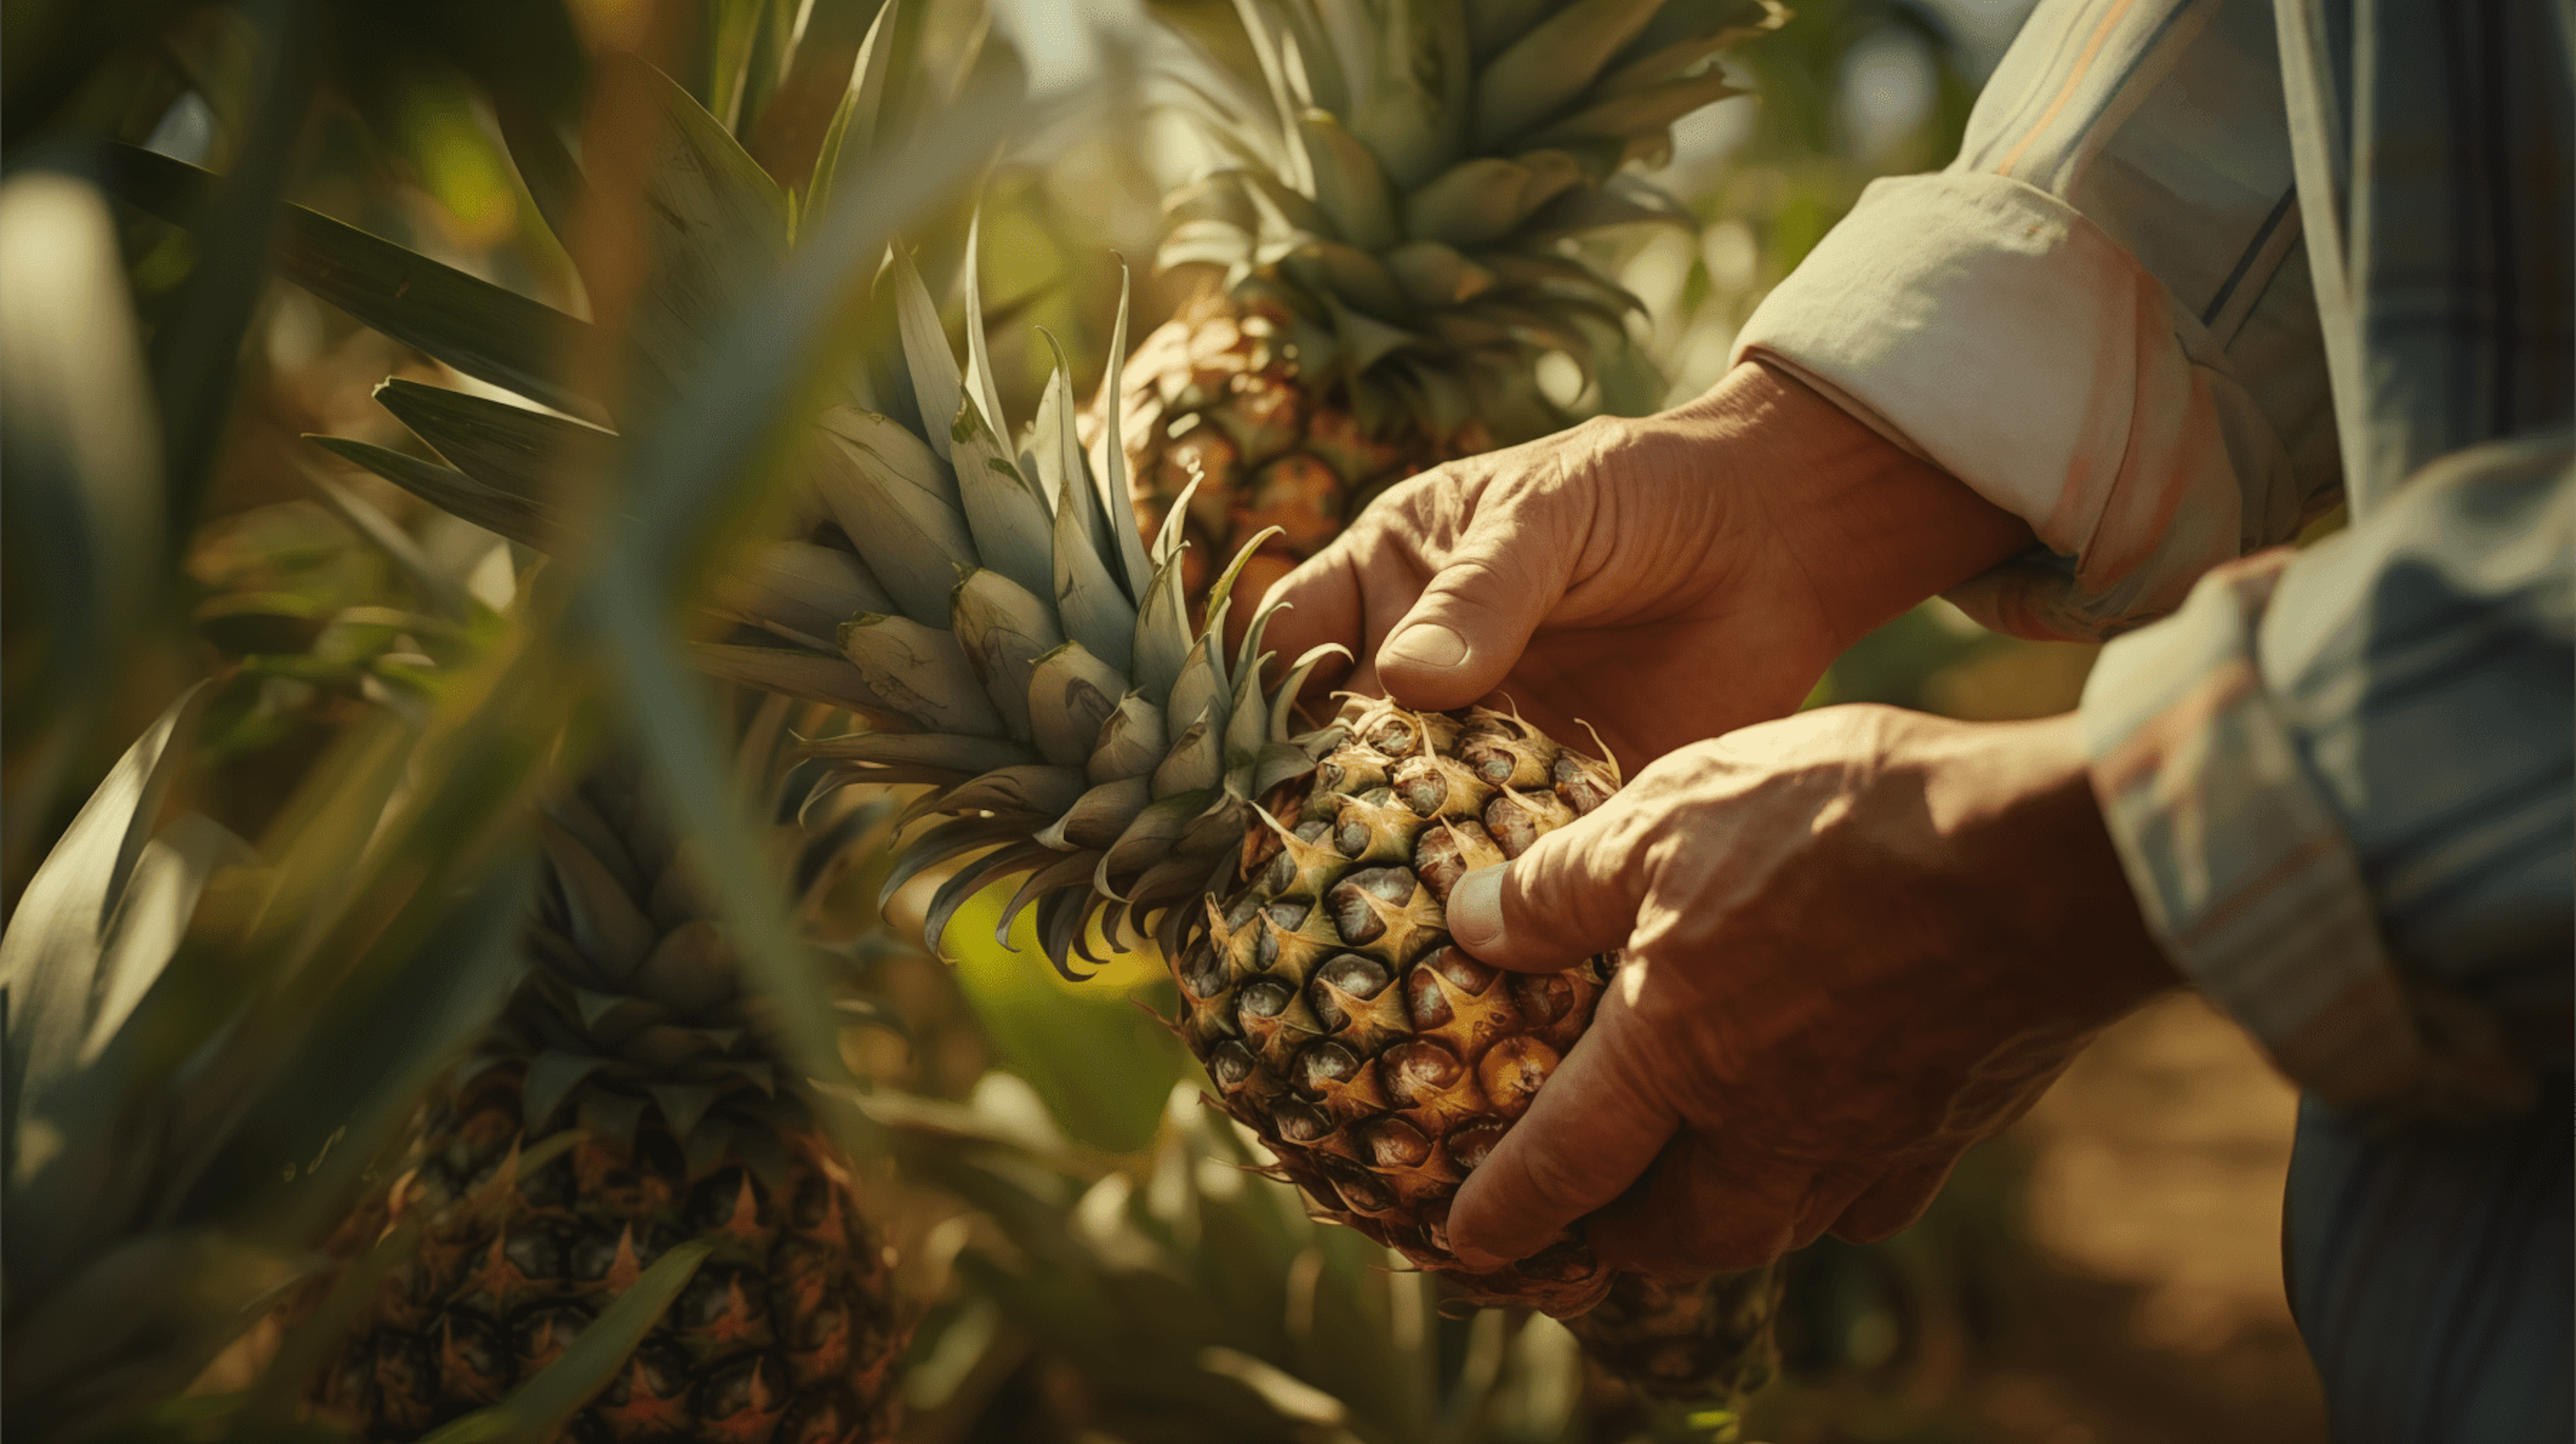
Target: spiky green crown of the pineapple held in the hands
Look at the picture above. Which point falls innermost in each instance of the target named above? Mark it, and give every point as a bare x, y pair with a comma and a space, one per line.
1027, 656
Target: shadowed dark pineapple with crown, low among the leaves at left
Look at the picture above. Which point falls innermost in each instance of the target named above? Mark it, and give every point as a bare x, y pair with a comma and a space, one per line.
620, 1107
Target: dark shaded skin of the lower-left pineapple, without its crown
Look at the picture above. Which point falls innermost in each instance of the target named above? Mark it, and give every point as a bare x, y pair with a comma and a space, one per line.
784, 1334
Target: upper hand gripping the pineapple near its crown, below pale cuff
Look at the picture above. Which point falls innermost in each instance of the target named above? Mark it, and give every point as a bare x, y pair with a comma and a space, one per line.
1660, 579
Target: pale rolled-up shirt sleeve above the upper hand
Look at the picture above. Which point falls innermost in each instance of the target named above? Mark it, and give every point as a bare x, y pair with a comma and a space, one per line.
2098, 316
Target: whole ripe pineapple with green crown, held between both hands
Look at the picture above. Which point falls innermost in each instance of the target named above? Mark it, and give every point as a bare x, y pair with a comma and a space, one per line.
1039, 674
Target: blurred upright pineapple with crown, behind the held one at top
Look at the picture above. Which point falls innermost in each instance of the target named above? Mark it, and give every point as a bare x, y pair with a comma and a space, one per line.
1395, 251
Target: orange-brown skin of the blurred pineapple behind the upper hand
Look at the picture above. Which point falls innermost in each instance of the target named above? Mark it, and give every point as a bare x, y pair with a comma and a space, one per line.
1215, 396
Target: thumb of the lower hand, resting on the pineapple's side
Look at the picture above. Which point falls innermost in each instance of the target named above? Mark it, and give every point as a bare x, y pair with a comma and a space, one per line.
1570, 896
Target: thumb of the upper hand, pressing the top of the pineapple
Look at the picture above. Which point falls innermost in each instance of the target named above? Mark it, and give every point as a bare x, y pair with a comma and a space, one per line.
1472, 623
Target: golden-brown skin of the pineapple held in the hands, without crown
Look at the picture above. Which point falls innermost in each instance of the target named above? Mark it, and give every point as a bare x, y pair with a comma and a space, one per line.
1343, 1025
